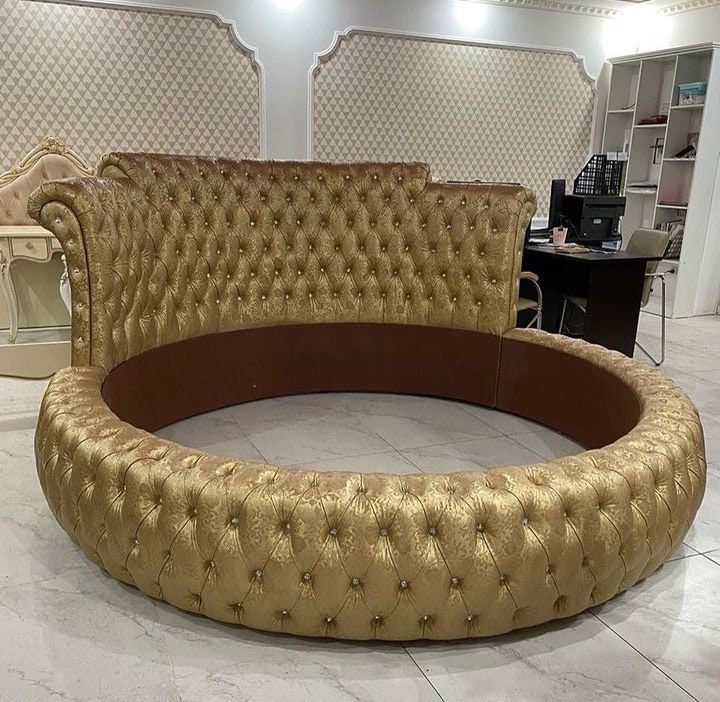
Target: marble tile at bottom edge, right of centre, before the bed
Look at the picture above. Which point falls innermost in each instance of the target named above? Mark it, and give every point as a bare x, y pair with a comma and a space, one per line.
578, 659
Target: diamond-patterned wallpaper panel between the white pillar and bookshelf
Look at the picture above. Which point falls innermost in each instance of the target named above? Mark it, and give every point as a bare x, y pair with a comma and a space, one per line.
492, 113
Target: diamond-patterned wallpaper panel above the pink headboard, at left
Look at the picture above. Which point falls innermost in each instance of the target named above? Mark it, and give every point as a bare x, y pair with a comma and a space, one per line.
107, 79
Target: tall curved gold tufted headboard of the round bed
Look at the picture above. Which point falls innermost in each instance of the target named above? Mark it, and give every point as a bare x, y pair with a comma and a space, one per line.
164, 248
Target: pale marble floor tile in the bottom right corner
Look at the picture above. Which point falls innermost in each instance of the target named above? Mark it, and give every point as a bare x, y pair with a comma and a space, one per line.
673, 618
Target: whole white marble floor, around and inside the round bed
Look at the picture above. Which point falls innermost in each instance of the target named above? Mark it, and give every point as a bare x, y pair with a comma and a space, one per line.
68, 632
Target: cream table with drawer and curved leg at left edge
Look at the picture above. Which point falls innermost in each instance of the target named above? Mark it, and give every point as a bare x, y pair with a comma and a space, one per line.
22, 243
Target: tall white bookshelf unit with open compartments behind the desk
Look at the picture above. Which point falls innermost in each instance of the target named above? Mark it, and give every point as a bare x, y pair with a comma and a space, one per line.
662, 187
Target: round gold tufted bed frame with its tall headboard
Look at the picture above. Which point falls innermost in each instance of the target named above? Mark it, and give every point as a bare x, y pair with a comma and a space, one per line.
200, 283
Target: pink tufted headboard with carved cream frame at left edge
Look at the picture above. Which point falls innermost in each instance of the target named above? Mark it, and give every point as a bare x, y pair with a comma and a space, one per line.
49, 160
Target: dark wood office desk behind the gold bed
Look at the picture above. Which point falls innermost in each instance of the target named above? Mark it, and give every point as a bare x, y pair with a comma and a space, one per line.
612, 282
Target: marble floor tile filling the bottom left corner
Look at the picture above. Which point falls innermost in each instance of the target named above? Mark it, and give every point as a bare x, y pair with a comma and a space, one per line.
80, 636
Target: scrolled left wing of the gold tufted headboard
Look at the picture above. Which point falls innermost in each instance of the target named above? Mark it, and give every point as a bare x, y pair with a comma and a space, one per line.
104, 227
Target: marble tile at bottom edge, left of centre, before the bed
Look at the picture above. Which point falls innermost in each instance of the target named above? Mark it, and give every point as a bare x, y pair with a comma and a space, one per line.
221, 662
